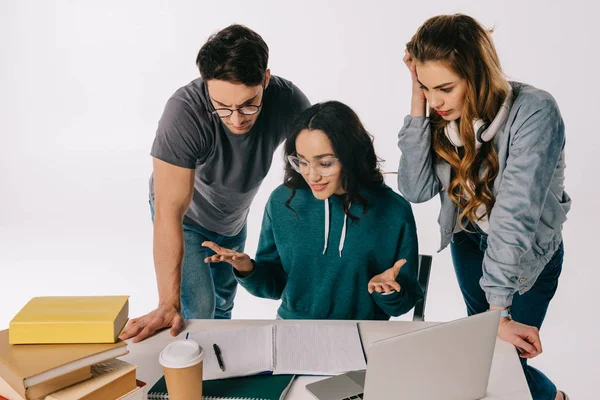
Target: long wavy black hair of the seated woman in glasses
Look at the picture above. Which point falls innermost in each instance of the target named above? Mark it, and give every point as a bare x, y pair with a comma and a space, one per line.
351, 143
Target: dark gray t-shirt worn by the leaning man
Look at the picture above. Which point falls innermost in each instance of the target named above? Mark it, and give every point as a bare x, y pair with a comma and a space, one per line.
229, 167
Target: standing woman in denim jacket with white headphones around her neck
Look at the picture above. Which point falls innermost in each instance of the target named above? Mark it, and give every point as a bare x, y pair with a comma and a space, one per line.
494, 152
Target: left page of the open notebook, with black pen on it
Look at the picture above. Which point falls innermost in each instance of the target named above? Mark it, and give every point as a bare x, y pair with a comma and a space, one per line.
244, 352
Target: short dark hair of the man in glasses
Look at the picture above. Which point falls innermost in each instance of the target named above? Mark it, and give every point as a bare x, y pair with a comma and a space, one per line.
234, 54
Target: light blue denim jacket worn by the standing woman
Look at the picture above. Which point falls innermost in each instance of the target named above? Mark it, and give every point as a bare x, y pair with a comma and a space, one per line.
531, 205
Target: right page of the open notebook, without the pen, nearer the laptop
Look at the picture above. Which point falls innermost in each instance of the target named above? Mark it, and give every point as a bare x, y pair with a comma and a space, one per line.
318, 349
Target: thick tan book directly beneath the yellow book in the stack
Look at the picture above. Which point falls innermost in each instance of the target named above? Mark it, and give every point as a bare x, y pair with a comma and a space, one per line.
37, 370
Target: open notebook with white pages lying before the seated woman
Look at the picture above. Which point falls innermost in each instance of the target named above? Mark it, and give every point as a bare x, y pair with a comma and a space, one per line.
298, 349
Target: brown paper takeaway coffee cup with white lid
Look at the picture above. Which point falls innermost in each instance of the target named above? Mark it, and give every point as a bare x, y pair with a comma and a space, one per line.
182, 365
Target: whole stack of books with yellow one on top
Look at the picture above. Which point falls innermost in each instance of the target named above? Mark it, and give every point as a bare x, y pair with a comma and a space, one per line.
66, 348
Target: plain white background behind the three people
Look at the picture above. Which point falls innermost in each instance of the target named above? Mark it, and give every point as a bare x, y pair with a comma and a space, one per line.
83, 84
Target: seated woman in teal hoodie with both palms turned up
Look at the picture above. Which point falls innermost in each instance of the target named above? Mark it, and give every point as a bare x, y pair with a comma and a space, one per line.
336, 242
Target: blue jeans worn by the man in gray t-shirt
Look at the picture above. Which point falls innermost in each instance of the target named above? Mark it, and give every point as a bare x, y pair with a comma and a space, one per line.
207, 289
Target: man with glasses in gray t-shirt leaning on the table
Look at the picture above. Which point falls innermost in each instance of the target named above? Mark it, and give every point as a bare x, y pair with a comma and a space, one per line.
213, 148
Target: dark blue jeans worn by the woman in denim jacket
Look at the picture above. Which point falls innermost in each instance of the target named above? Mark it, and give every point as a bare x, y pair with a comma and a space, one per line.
528, 308
